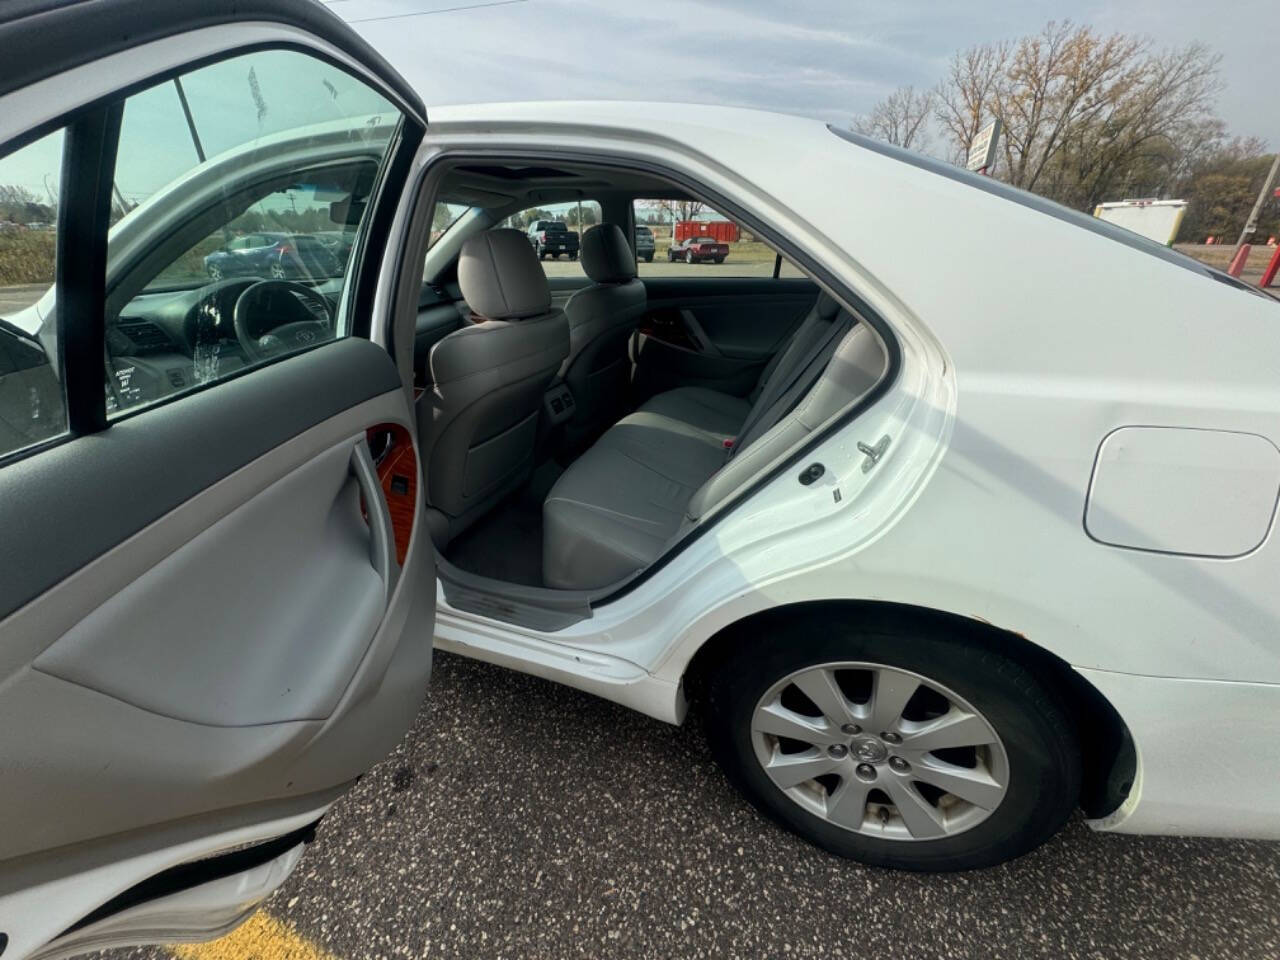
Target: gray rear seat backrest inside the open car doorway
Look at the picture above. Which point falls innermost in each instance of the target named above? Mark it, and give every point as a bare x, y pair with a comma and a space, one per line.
857, 365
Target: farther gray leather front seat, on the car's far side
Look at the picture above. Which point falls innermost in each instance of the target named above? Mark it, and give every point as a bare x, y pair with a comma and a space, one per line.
601, 321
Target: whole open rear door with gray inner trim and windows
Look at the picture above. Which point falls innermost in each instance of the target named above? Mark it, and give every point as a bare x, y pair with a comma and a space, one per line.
216, 606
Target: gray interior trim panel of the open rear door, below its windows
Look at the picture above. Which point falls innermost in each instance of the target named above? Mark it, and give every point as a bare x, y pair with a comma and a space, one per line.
194, 666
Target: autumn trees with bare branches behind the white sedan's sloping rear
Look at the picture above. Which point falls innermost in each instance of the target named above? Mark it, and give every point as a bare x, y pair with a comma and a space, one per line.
1087, 118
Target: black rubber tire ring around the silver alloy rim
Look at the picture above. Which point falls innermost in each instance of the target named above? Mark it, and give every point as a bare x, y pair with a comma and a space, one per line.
1031, 721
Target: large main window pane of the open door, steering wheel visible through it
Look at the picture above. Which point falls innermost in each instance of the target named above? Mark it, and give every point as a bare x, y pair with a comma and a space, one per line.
240, 198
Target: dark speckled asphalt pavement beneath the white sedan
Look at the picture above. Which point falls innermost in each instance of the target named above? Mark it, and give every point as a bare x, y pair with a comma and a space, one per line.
525, 820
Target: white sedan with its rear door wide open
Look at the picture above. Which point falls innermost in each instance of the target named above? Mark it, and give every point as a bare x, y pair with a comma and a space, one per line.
947, 556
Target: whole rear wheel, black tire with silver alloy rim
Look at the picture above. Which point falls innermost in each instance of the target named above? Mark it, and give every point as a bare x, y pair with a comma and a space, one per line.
1031, 771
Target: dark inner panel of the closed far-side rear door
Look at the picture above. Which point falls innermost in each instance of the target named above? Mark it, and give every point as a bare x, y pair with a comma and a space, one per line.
715, 332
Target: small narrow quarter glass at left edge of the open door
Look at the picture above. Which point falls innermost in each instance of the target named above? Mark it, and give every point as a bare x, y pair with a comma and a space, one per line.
31, 394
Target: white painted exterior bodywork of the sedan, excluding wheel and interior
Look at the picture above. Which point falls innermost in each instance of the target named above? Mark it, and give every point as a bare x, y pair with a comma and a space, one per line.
1025, 344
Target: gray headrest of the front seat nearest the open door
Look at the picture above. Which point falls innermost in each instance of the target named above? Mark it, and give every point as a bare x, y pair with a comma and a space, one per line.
501, 277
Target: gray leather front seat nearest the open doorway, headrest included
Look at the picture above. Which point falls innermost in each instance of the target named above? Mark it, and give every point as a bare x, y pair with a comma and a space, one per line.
478, 419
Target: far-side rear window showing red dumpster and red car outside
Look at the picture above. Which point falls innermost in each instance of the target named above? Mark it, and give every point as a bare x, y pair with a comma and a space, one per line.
688, 239
